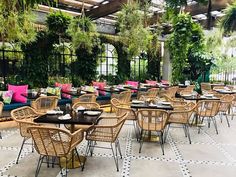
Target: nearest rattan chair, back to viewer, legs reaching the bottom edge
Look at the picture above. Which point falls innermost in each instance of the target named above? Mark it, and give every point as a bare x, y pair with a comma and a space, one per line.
56, 143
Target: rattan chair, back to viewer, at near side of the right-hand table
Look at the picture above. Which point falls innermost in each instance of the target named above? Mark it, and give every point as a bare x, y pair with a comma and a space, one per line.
207, 109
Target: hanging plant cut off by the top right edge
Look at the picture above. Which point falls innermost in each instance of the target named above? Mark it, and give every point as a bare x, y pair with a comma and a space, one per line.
228, 22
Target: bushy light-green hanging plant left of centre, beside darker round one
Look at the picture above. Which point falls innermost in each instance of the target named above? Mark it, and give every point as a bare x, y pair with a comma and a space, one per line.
83, 33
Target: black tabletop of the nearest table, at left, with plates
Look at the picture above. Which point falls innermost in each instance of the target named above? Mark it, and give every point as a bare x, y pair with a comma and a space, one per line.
80, 118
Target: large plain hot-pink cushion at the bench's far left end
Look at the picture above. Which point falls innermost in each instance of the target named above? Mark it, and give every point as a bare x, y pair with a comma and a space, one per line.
17, 91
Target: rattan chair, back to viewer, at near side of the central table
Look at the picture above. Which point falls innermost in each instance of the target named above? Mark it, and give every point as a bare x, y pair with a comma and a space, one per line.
152, 120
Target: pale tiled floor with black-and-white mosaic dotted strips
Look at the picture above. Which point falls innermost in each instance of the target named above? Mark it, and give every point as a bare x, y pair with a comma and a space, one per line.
208, 155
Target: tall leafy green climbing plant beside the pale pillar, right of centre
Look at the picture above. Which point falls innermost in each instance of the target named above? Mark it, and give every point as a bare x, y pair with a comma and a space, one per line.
187, 48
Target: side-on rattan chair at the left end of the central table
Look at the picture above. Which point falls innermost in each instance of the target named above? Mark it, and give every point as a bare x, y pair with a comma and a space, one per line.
120, 109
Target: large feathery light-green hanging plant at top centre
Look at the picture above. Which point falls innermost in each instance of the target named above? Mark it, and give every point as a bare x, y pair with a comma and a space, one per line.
131, 29
